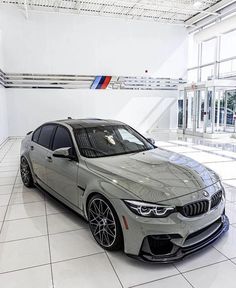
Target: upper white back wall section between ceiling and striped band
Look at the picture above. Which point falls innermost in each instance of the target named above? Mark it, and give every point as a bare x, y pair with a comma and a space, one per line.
75, 44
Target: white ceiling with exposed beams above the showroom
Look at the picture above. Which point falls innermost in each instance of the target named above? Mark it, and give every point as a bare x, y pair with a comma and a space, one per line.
172, 11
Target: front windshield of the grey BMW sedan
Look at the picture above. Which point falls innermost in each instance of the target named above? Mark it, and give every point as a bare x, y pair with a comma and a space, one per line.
111, 140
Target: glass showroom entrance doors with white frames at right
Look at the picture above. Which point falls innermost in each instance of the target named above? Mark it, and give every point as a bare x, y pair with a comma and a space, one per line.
206, 109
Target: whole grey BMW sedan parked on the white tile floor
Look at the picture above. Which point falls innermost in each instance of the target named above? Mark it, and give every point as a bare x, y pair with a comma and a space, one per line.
156, 205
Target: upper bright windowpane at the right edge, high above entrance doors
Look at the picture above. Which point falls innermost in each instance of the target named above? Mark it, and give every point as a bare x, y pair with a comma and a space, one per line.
228, 45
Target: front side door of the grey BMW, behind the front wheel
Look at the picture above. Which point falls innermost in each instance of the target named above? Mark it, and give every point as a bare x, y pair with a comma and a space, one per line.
62, 173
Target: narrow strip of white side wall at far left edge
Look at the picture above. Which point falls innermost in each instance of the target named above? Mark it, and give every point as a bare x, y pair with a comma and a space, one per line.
3, 105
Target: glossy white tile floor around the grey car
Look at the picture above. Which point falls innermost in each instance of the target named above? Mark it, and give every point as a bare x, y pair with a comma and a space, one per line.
43, 244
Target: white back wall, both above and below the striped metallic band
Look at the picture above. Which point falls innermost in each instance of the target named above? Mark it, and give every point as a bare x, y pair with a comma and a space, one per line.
75, 44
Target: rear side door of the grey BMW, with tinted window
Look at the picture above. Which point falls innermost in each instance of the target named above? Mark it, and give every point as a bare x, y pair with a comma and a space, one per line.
39, 149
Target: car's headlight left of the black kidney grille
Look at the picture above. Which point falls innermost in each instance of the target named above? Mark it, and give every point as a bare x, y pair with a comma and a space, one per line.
149, 209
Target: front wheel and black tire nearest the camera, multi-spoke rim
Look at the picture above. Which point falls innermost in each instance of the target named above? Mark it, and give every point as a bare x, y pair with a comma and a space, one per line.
104, 223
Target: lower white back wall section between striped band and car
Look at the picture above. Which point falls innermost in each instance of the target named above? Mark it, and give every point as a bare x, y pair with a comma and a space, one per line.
29, 108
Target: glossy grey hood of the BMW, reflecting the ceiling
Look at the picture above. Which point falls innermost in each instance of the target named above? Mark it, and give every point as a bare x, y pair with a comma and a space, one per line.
154, 175
